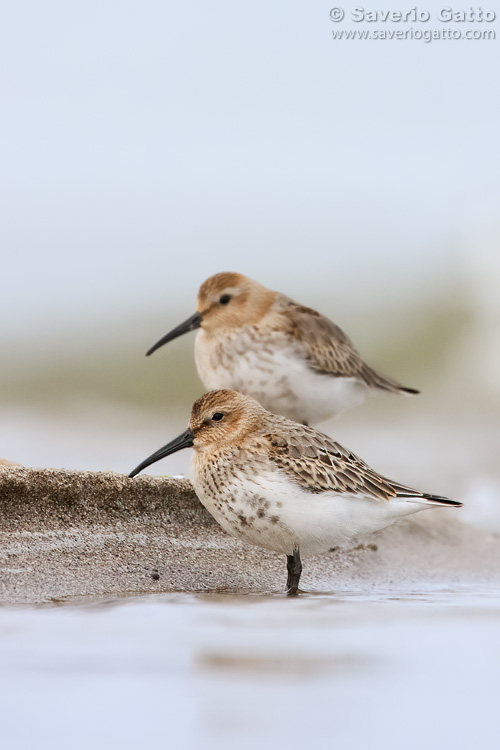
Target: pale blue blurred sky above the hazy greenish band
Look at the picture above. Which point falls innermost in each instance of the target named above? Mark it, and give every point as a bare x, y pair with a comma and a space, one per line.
148, 145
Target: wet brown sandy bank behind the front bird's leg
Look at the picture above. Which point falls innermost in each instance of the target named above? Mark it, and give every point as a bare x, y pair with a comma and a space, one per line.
66, 533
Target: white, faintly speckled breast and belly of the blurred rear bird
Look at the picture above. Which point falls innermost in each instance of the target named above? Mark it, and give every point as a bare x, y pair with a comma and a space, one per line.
276, 376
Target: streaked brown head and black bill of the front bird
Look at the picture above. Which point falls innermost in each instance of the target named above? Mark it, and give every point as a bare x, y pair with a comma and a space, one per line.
219, 419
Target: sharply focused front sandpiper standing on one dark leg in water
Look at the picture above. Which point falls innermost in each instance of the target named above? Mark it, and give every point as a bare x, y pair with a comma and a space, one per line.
284, 486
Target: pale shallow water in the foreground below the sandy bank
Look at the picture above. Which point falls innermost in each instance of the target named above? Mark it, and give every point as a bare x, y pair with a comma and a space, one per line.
226, 671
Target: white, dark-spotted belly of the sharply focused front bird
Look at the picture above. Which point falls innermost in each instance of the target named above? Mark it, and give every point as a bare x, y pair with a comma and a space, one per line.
271, 512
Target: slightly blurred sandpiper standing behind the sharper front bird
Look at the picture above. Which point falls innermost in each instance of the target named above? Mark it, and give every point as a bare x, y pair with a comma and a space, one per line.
290, 358
